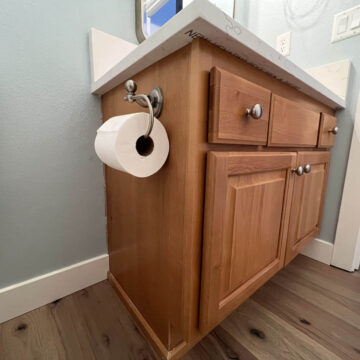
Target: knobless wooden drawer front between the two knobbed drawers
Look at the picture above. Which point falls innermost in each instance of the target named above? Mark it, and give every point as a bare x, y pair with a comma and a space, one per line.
291, 124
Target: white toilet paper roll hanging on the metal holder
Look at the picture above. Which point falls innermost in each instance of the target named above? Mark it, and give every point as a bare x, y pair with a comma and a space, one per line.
120, 144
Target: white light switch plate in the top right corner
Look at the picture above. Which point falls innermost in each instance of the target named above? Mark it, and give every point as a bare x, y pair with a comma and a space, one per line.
346, 24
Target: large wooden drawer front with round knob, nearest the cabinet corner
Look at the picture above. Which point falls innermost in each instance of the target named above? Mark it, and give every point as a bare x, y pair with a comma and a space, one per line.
230, 97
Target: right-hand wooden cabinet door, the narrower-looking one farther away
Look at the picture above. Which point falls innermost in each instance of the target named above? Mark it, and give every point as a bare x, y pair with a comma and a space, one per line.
307, 202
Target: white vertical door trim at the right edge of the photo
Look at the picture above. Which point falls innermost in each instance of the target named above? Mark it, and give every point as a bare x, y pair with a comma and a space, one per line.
347, 240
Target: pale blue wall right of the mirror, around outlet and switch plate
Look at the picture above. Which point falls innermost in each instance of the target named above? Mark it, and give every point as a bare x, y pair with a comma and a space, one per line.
310, 22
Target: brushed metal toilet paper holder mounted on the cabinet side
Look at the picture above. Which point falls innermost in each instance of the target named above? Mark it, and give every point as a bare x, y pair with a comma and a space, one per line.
153, 101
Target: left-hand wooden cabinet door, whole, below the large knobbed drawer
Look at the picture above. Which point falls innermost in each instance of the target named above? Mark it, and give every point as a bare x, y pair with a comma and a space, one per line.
246, 215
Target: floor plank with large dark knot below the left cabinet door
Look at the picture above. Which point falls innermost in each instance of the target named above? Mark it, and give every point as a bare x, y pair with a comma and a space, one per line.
269, 337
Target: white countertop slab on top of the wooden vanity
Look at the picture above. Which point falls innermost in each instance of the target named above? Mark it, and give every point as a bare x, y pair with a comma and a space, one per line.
203, 19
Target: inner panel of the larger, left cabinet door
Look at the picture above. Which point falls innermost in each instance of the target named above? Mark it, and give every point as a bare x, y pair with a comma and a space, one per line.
249, 219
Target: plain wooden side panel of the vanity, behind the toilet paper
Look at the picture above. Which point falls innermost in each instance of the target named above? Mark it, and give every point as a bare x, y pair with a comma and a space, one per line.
146, 216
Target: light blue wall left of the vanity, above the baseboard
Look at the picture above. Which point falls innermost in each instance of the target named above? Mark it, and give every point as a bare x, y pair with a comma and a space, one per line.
51, 184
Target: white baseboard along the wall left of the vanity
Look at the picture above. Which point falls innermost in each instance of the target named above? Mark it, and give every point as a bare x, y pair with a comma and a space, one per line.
28, 295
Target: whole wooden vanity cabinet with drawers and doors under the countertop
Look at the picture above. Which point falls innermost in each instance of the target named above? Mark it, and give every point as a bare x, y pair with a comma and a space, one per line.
190, 243
